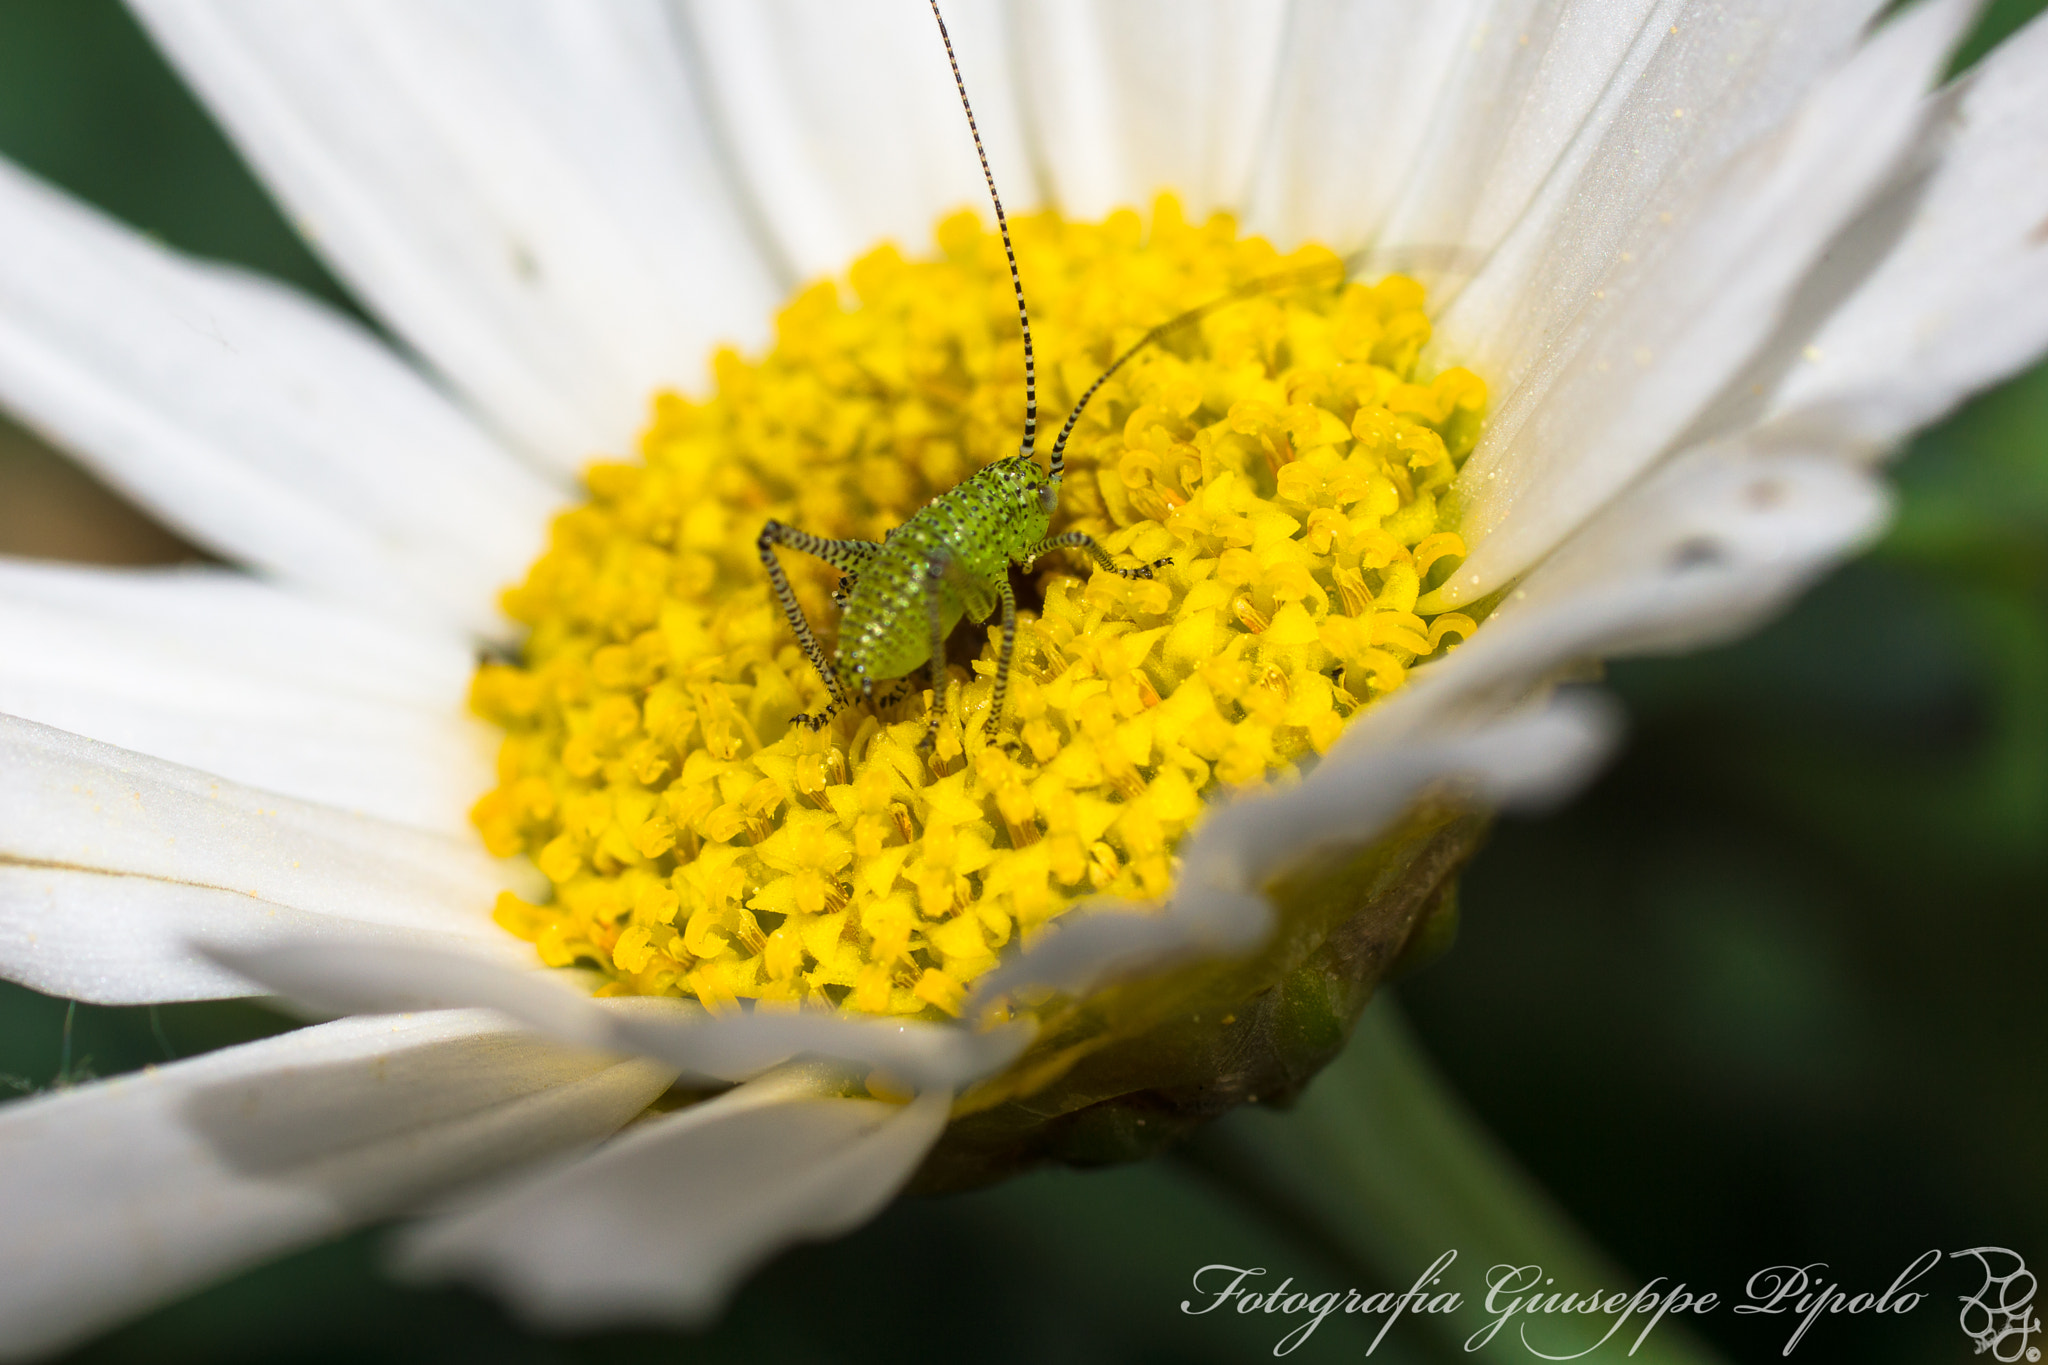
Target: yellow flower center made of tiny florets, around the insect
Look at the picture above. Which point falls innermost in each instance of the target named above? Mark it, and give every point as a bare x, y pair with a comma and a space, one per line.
1283, 453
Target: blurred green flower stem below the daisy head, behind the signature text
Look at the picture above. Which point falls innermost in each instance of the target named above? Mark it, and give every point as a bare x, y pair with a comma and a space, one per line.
1381, 1170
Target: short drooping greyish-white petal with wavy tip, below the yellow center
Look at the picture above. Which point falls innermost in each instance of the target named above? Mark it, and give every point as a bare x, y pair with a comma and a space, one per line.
665, 1223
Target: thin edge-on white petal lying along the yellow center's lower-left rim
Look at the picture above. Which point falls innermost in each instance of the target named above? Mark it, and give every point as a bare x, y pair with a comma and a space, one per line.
378, 977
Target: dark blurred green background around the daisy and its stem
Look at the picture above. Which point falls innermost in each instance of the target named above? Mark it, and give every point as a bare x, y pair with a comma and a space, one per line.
1768, 994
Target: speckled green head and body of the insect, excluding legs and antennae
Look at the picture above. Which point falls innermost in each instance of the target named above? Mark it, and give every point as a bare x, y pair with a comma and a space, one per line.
962, 543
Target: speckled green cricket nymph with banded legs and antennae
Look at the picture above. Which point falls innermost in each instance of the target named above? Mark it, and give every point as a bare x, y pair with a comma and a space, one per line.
902, 599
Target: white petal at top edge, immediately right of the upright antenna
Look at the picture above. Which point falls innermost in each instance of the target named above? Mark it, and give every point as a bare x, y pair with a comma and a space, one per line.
1136, 97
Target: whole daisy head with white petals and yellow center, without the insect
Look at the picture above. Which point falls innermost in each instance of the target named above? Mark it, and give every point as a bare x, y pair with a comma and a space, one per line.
630, 977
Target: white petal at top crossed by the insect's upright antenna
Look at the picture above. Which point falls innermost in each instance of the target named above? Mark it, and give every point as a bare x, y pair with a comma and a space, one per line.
845, 124
